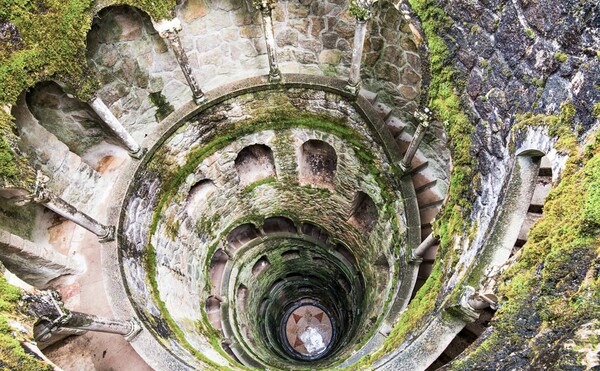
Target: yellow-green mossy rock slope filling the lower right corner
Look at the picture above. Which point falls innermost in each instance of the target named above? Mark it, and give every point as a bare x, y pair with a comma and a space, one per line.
556, 277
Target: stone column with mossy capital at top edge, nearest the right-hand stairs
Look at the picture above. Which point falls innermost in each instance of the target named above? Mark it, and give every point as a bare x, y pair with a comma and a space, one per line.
361, 10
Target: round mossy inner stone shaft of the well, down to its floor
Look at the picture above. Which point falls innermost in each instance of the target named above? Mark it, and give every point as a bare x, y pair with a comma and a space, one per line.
267, 230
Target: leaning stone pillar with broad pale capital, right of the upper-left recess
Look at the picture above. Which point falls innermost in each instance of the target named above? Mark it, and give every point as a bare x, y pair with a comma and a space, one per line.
169, 30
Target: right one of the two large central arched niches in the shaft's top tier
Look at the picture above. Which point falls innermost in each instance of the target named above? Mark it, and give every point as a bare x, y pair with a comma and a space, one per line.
318, 164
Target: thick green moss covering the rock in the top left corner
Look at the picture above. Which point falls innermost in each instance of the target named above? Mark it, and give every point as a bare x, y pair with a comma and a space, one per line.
48, 39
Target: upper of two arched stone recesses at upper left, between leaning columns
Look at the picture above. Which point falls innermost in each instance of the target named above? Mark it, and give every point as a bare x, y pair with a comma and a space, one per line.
131, 61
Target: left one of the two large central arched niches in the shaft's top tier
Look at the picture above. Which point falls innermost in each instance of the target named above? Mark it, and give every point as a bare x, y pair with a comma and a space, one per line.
254, 163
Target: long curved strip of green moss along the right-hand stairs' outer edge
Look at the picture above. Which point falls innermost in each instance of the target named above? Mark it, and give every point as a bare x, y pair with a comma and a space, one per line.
445, 101
